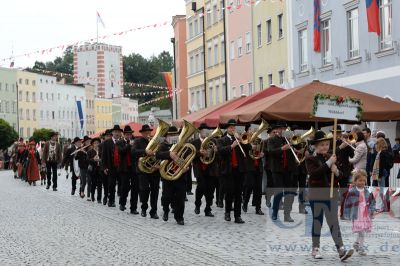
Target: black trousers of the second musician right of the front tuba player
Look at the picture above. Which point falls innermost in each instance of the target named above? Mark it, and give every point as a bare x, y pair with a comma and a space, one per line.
233, 192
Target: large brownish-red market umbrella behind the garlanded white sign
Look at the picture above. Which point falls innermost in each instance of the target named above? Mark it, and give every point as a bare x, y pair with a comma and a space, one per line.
297, 104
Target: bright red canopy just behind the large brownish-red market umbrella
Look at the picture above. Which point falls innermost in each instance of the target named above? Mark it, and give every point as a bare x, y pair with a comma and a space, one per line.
212, 119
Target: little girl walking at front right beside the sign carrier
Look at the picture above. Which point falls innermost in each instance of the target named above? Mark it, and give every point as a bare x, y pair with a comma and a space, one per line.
359, 207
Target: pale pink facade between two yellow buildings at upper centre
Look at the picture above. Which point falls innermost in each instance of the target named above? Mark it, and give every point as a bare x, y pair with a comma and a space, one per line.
239, 51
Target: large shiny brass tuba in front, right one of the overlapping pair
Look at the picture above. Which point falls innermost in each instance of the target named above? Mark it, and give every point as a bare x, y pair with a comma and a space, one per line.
186, 152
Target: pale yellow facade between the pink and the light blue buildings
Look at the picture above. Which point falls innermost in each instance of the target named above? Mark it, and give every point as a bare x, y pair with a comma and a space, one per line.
270, 44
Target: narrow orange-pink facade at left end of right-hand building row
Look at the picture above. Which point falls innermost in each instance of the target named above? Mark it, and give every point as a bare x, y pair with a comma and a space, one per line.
180, 81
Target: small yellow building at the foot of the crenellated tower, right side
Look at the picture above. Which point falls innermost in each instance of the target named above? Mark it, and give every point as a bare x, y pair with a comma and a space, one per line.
102, 114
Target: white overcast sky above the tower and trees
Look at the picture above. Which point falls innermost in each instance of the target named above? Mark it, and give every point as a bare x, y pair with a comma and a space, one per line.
28, 26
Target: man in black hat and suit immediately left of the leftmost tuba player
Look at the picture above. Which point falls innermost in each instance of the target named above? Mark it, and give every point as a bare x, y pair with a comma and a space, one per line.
125, 173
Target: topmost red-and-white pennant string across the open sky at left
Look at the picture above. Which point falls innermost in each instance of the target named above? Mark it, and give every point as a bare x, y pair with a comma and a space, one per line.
64, 46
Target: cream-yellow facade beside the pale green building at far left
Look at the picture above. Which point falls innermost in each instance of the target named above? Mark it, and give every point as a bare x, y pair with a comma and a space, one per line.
27, 103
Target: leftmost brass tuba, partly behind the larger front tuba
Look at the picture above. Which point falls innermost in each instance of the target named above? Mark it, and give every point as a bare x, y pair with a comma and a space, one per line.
149, 164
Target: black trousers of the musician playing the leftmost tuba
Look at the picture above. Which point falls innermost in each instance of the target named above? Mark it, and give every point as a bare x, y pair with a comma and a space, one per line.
149, 185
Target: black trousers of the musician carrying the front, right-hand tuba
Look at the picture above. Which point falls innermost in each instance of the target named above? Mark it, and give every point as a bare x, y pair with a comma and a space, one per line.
174, 194
